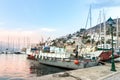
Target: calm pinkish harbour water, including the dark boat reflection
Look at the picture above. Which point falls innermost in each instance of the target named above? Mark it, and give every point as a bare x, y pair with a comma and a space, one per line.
17, 67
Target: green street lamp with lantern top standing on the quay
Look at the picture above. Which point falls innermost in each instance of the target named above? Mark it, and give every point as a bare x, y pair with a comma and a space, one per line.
110, 21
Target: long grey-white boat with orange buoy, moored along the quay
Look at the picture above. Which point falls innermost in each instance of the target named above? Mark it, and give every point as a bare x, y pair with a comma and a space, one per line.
63, 59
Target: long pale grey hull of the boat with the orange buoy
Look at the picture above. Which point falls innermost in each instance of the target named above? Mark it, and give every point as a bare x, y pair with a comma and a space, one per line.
68, 64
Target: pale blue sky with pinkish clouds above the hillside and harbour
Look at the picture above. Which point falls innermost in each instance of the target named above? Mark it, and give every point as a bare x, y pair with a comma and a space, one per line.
37, 19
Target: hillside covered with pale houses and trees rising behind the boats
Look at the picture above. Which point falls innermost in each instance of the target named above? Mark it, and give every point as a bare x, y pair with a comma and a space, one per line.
97, 35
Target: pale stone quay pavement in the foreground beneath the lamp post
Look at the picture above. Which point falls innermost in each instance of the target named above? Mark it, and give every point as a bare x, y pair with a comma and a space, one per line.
93, 73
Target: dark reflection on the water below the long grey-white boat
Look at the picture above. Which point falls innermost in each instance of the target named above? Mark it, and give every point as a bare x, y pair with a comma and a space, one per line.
39, 69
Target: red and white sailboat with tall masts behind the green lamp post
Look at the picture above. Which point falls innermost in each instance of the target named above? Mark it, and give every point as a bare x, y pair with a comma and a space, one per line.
103, 51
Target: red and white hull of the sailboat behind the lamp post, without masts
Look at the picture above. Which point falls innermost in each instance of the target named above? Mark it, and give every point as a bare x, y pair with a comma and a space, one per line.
103, 54
